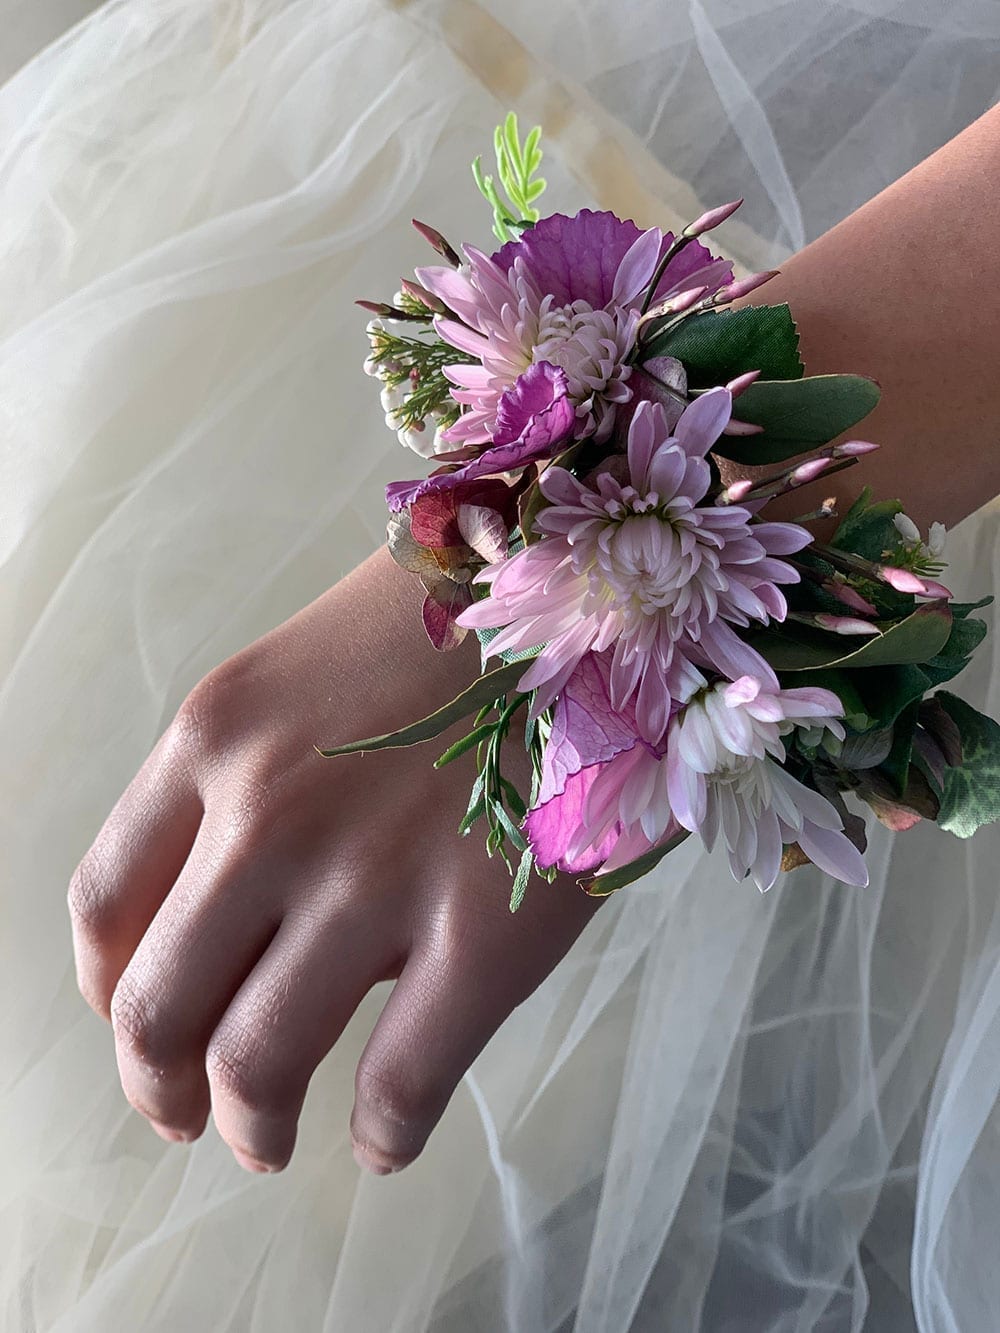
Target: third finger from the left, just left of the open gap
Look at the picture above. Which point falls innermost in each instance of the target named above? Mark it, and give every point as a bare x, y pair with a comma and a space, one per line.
285, 1020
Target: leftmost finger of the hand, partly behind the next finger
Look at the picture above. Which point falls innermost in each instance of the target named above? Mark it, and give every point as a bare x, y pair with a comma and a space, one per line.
129, 871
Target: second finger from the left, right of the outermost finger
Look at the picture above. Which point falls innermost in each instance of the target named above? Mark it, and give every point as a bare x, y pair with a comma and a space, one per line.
197, 954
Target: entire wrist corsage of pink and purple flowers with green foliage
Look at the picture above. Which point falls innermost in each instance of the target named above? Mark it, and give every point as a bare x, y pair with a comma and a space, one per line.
674, 662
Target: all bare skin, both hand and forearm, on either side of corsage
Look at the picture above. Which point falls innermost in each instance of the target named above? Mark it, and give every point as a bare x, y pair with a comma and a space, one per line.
246, 894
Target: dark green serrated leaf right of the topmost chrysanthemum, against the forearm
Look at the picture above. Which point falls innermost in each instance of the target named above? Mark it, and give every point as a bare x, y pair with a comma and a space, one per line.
718, 346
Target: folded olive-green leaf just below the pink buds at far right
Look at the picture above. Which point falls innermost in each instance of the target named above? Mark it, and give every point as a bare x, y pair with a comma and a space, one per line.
913, 641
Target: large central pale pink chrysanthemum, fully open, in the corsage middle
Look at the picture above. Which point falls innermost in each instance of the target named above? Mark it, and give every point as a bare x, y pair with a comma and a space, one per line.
641, 566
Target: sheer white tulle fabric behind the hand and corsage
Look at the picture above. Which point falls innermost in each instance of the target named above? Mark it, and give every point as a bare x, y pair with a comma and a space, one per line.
723, 1111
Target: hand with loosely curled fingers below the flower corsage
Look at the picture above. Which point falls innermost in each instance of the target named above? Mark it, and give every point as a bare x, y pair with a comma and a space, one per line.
246, 894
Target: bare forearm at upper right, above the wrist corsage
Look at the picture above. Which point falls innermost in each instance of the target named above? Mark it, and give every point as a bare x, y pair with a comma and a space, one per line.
907, 290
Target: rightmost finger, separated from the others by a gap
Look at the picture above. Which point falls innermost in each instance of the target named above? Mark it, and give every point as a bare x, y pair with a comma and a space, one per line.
447, 1004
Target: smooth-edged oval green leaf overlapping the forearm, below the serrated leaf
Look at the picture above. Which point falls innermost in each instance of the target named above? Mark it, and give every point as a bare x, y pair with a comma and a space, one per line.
797, 415
